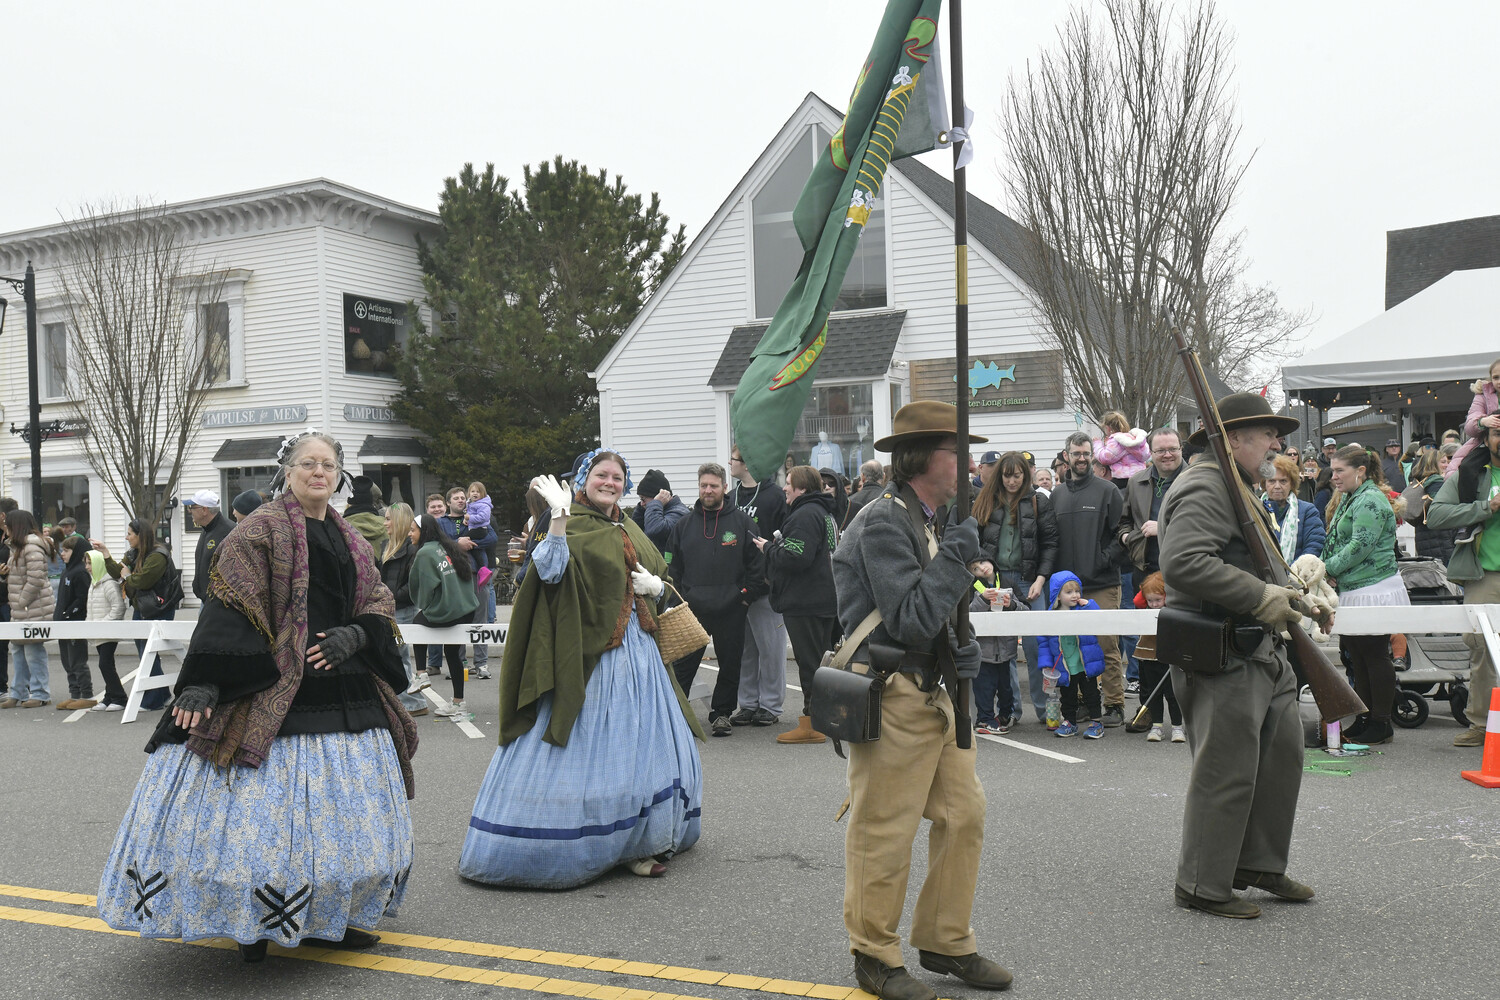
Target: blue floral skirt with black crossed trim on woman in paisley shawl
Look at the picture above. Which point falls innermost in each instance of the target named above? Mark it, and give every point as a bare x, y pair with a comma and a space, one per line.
308, 845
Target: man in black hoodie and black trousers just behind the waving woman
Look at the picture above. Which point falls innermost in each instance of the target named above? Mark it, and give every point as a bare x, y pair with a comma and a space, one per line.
719, 570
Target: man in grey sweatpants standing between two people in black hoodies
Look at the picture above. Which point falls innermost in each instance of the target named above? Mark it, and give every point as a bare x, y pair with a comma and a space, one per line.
763, 675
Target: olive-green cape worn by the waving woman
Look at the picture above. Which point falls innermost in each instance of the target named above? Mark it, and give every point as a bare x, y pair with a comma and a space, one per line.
560, 630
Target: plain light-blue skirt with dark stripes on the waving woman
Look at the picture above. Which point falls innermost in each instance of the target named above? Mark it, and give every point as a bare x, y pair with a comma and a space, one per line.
628, 785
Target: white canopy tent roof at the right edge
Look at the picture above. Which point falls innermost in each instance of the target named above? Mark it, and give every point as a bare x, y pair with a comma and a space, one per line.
1445, 334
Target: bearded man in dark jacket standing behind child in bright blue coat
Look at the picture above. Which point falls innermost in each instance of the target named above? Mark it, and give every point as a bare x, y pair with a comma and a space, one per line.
1088, 513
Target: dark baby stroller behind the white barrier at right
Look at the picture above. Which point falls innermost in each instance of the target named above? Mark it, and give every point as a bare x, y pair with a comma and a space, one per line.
1438, 662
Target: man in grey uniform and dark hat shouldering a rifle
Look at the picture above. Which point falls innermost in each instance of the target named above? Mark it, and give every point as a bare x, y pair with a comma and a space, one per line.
1243, 725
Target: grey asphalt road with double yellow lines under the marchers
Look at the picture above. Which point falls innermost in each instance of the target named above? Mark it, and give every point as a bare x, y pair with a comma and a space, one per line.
1075, 894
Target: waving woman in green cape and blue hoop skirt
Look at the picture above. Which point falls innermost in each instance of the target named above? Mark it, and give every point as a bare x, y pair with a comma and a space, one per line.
596, 765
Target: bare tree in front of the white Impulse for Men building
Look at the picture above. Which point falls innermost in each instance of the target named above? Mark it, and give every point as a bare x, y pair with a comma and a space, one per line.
148, 335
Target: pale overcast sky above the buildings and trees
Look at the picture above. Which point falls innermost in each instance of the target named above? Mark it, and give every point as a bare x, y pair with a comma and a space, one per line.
1364, 116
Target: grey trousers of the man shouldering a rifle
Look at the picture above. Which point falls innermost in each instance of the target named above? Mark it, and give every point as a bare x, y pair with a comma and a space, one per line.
1246, 737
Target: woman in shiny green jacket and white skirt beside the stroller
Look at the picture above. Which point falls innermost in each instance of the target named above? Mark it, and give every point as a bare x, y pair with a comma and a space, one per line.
1361, 555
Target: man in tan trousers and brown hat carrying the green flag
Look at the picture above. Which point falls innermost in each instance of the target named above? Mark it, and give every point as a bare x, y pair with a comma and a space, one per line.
892, 561
